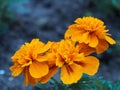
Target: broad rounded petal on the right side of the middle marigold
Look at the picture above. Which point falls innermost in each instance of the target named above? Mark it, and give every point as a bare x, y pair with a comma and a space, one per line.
90, 65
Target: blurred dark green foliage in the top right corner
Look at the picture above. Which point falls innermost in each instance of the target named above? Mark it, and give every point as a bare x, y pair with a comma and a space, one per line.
108, 7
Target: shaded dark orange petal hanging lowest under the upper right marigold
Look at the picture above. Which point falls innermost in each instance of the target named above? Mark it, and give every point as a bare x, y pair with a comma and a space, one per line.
102, 46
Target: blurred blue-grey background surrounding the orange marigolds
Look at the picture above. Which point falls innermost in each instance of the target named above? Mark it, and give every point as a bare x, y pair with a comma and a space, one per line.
23, 20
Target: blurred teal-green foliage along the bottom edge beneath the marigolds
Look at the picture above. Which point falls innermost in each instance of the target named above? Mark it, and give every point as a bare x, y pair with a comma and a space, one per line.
86, 83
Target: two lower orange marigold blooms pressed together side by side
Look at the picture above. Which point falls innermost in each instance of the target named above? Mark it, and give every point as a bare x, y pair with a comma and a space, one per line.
39, 62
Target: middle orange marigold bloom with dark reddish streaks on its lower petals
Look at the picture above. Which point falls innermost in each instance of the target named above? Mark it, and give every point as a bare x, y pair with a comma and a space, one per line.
72, 63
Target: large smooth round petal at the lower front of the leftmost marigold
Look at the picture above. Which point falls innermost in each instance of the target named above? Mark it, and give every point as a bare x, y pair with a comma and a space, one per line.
38, 69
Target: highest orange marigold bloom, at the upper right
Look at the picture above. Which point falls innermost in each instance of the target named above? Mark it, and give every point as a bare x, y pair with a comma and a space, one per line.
91, 31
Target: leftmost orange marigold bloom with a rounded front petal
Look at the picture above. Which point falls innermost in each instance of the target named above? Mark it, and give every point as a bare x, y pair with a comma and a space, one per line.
29, 60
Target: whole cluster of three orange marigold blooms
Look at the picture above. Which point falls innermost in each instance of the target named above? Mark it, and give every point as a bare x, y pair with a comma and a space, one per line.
38, 62
